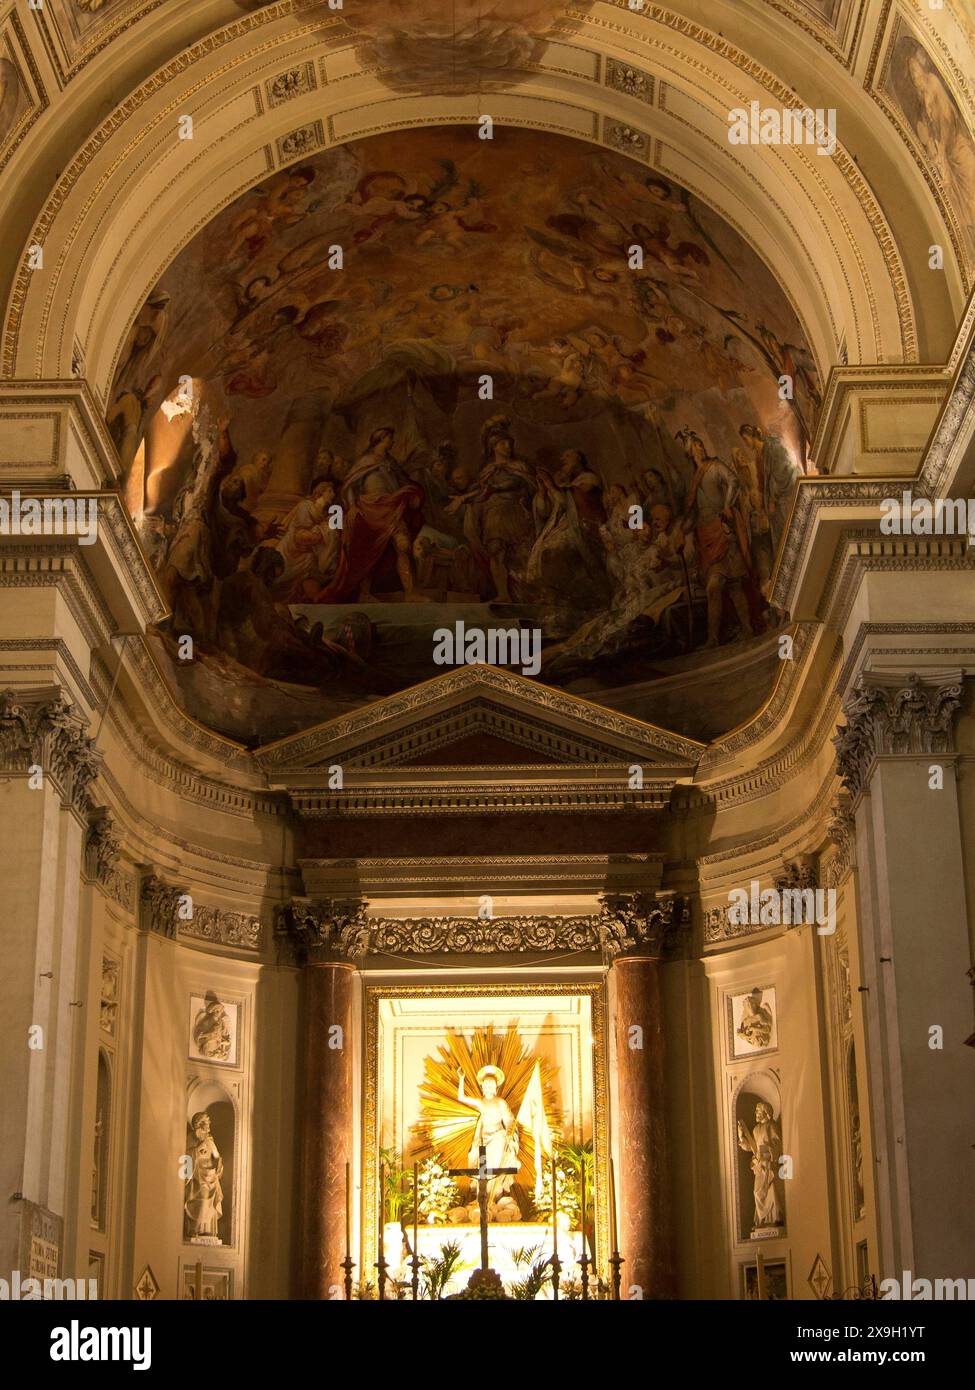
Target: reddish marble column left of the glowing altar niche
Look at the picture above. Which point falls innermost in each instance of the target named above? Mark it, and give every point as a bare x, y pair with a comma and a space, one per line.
328, 1143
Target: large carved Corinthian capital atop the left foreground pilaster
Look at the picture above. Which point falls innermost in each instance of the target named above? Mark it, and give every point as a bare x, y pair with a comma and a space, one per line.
44, 732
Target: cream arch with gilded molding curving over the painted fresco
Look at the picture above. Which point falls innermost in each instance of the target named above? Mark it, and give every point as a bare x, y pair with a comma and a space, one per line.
134, 195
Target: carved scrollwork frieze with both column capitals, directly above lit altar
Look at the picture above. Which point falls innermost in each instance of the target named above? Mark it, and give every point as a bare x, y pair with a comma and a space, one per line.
340, 931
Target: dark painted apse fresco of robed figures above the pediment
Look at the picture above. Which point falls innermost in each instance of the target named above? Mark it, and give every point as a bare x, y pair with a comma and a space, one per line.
492, 414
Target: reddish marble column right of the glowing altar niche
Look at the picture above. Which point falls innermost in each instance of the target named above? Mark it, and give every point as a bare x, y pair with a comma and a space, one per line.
643, 1181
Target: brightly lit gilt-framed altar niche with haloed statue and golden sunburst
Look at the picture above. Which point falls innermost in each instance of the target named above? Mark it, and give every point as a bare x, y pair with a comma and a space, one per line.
515, 1075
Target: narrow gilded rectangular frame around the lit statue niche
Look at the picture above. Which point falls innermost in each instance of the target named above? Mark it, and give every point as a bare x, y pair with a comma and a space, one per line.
592, 990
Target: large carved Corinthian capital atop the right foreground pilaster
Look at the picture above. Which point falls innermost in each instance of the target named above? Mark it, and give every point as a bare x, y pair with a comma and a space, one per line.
895, 715
